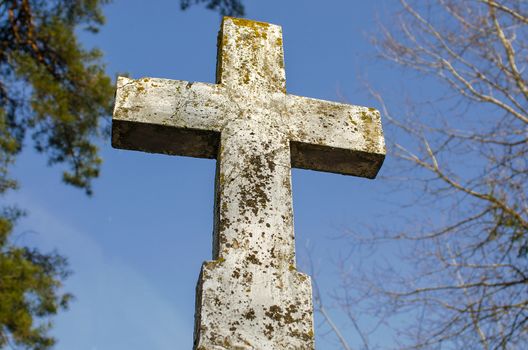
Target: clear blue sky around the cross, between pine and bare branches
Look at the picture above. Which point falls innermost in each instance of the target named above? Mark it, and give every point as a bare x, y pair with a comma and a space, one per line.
137, 245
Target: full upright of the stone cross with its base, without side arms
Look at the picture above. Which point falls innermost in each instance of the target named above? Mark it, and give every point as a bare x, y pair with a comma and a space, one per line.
251, 296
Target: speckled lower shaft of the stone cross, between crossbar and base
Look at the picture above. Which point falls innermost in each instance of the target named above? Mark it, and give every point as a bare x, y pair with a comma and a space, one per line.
253, 197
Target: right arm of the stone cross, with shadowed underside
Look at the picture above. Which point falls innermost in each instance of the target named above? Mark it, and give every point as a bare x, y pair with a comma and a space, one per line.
334, 137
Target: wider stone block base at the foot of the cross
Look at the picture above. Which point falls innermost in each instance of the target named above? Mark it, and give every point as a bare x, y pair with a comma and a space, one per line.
253, 308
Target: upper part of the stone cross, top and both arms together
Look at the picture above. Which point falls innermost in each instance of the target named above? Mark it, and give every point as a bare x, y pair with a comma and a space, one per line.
324, 136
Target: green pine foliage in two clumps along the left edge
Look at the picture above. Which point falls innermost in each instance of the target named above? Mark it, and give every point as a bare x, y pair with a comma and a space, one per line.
57, 92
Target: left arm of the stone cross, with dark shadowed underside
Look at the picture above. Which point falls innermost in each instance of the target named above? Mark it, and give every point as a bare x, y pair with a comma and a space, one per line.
168, 116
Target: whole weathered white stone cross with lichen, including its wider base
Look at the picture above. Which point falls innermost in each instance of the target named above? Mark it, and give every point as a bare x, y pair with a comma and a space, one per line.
251, 295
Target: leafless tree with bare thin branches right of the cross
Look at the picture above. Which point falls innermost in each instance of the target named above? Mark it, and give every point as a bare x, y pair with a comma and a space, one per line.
465, 152
